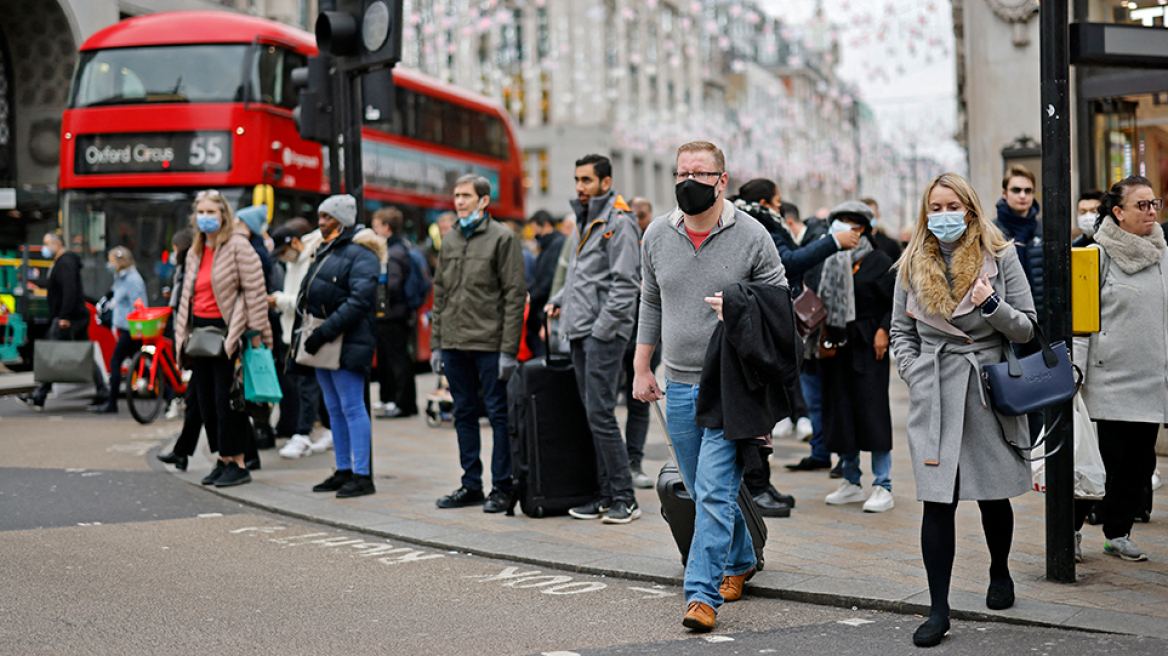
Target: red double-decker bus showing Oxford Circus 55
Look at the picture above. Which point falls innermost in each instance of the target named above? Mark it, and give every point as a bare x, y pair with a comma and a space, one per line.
168, 104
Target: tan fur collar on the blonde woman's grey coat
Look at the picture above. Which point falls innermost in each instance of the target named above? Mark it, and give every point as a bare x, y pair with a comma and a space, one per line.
931, 281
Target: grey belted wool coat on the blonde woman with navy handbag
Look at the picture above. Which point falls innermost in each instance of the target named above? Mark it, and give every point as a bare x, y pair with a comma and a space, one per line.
951, 423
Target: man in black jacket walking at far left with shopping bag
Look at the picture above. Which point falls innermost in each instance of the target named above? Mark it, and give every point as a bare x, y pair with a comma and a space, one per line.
67, 309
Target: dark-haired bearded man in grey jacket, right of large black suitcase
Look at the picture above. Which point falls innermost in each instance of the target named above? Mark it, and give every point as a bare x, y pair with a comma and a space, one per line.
599, 317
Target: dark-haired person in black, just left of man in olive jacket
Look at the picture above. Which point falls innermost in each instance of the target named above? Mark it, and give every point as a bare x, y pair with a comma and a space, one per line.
395, 326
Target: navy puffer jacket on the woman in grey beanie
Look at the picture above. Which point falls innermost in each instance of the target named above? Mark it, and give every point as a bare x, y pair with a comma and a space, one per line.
342, 289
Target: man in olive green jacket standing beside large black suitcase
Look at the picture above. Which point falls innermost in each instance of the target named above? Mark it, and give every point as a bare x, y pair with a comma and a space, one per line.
477, 324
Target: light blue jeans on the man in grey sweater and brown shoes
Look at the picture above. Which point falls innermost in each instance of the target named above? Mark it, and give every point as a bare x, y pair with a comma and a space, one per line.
711, 469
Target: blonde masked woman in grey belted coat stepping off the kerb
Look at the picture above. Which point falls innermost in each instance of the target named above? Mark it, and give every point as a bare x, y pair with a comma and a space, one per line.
962, 297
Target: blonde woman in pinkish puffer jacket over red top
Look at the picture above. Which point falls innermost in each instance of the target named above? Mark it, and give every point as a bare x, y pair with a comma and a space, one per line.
223, 288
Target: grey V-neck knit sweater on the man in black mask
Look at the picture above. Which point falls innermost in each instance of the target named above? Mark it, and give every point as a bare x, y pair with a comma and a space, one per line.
677, 278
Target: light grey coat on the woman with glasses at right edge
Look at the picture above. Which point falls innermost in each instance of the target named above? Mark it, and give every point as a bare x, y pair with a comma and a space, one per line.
1125, 365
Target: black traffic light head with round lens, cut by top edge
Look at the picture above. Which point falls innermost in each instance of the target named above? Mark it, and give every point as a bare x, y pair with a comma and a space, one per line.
363, 34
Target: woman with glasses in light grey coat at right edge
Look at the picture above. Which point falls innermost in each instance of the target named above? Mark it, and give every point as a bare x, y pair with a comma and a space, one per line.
1125, 362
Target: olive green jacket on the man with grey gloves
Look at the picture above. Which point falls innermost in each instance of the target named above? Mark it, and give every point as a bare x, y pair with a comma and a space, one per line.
481, 291
